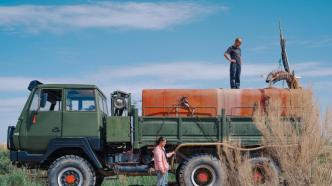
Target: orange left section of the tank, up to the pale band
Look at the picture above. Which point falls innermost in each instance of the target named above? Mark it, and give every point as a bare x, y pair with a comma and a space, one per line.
169, 102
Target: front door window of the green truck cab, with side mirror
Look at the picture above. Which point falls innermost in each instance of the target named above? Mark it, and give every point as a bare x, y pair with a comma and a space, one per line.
52, 100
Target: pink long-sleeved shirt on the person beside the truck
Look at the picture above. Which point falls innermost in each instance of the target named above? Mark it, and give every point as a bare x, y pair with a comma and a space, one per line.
160, 160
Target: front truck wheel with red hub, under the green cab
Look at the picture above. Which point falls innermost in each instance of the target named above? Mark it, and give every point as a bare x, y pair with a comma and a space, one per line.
71, 168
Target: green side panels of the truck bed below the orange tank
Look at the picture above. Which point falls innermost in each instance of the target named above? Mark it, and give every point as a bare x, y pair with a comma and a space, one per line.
177, 130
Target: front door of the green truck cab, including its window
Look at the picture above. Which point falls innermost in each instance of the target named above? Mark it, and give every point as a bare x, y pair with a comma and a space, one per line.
44, 119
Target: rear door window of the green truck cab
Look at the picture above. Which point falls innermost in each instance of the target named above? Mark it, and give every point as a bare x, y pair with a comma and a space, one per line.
80, 100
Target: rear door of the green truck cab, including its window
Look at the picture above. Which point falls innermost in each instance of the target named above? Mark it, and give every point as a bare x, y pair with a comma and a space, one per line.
80, 118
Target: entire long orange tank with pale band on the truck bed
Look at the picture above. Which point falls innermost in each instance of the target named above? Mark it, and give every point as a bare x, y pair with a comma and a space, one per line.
210, 102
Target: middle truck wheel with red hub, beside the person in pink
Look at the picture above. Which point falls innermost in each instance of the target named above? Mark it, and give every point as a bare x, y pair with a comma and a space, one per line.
202, 170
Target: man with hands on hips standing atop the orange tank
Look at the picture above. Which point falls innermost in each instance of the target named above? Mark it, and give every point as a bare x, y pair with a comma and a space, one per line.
233, 55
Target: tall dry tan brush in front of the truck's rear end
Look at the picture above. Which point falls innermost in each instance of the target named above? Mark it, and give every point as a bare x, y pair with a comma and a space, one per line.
308, 161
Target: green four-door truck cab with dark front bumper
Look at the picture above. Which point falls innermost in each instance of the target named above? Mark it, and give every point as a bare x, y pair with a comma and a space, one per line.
55, 111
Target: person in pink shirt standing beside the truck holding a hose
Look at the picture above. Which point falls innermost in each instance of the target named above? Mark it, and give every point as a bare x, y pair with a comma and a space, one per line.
160, 161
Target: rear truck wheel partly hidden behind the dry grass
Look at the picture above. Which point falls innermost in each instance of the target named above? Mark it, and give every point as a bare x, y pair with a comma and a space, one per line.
264, 171
